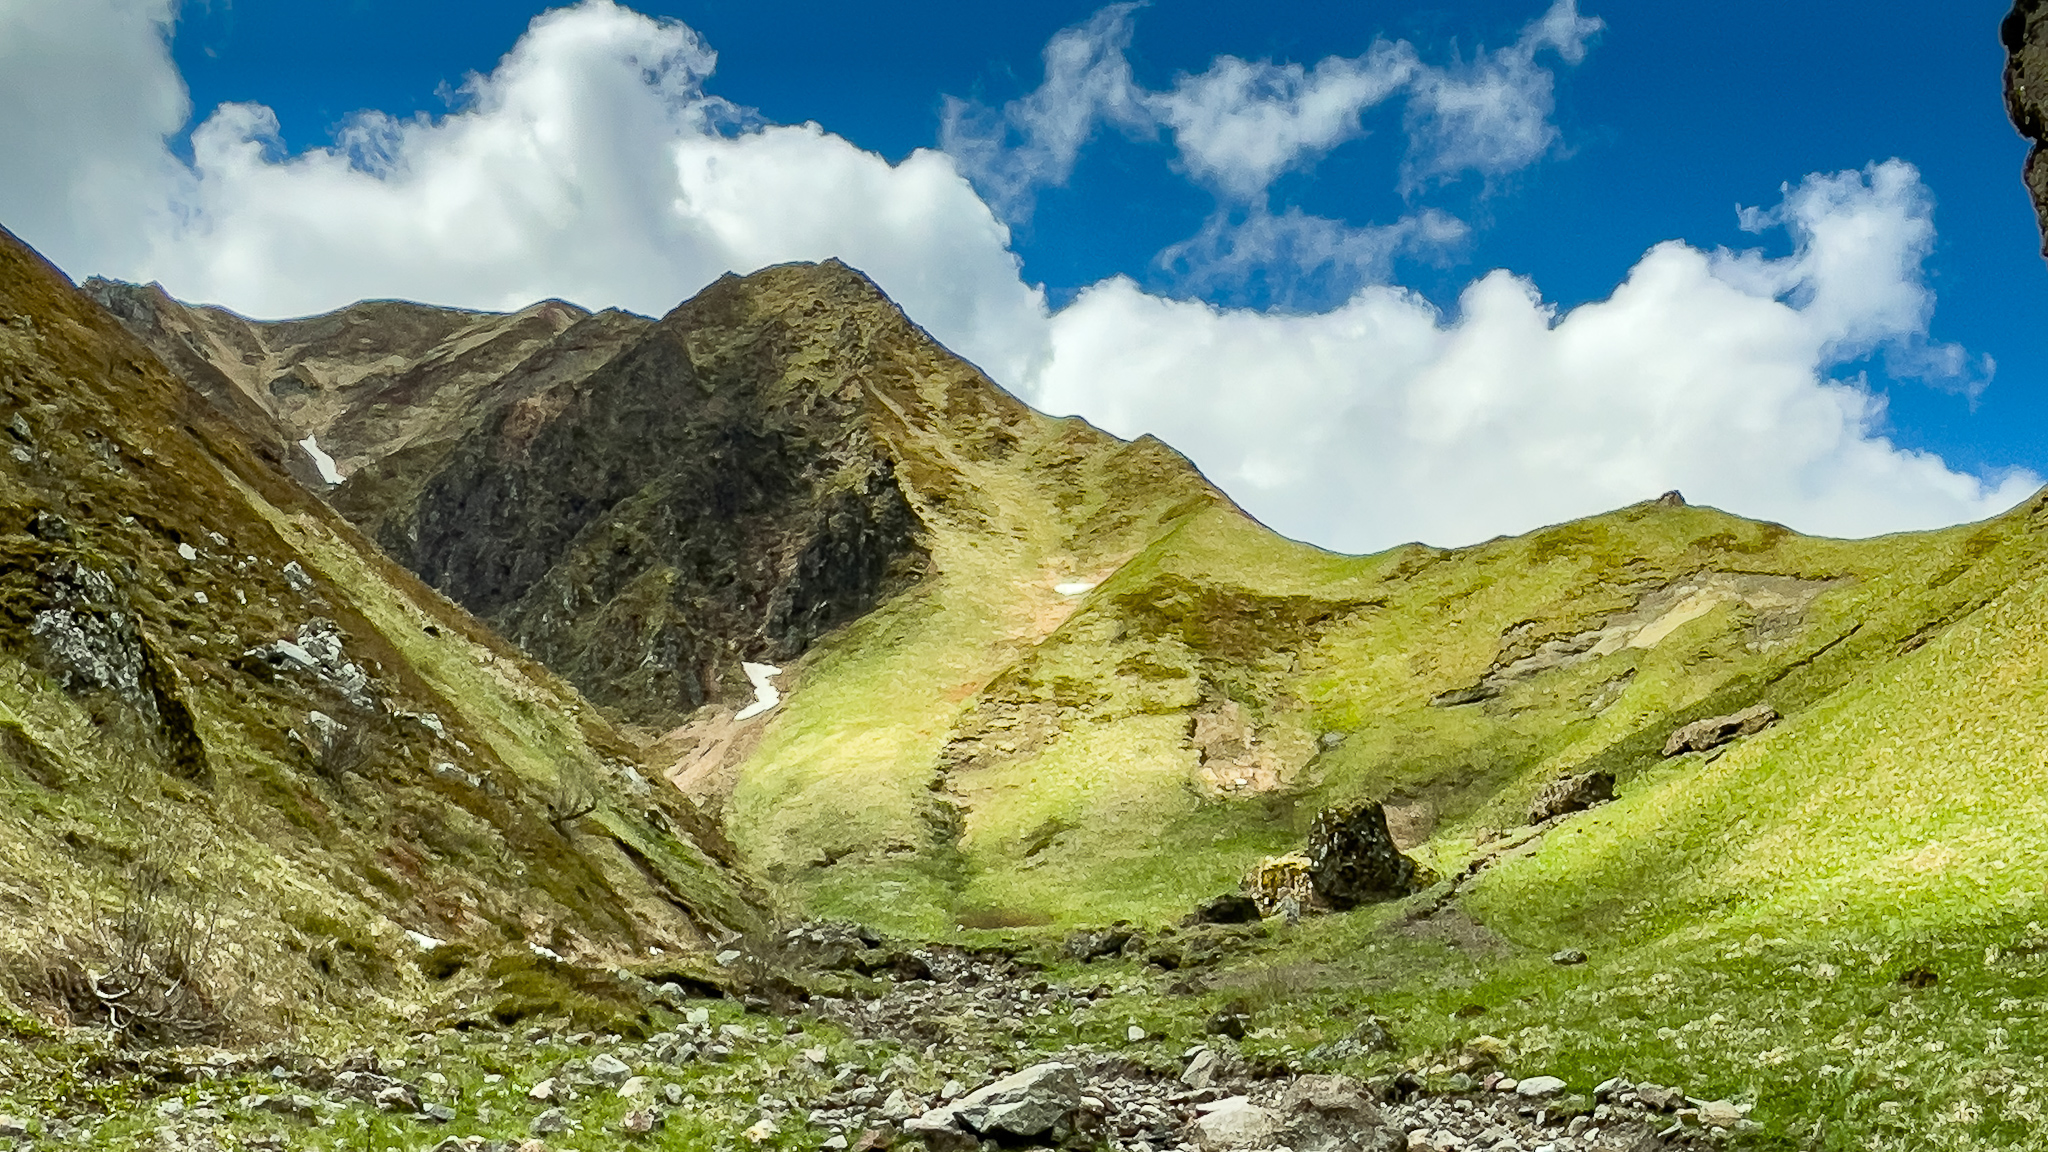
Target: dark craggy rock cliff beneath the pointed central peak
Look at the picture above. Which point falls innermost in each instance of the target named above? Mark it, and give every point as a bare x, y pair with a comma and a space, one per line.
712, 495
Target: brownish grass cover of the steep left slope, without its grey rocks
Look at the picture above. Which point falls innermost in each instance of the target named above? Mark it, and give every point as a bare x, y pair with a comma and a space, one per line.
308, 876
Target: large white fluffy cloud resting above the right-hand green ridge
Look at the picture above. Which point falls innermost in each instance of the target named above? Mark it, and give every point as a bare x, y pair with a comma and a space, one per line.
1707, 372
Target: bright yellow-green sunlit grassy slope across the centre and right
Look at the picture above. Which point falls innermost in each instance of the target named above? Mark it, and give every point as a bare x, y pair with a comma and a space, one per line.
1748, 913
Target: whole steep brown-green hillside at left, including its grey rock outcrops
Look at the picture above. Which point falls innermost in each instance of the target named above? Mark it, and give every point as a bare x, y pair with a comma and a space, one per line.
247, 753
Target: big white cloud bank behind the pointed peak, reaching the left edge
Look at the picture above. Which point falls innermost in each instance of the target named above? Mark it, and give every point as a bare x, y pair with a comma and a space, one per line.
589, 165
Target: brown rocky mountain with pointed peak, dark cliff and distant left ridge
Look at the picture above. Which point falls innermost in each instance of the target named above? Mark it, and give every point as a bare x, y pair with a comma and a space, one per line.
648, 505
